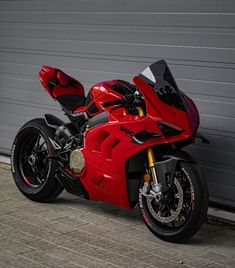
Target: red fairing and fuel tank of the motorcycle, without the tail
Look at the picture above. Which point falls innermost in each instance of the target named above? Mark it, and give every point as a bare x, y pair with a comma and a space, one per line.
107, 148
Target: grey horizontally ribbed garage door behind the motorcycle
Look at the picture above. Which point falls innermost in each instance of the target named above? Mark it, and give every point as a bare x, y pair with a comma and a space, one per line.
98, 40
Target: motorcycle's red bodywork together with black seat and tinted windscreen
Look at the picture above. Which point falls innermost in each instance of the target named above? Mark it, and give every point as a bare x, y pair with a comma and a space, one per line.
116, 136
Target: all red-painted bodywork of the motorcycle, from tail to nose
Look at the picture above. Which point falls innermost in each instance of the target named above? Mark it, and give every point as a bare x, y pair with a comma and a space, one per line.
108, 145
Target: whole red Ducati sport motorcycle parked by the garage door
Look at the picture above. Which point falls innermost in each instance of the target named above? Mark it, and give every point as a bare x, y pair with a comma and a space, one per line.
122, 145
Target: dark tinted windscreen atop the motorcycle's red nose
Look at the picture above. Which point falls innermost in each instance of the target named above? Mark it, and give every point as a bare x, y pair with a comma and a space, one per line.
159, 76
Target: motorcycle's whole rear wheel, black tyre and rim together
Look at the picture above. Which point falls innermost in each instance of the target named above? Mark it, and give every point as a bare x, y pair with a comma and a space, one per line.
33, 169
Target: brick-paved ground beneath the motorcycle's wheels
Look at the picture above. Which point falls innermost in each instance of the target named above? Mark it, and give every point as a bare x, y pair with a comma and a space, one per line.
72, 232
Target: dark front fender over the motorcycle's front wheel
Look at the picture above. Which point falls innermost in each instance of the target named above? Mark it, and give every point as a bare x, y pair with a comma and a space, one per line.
165, 168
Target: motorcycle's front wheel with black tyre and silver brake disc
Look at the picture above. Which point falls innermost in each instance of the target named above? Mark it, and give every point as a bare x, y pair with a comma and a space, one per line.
182, 209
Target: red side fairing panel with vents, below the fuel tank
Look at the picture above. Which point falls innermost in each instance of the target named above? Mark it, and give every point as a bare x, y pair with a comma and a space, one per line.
107, 149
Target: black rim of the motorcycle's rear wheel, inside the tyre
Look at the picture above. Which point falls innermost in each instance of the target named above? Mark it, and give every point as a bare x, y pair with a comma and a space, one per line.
34, 163
